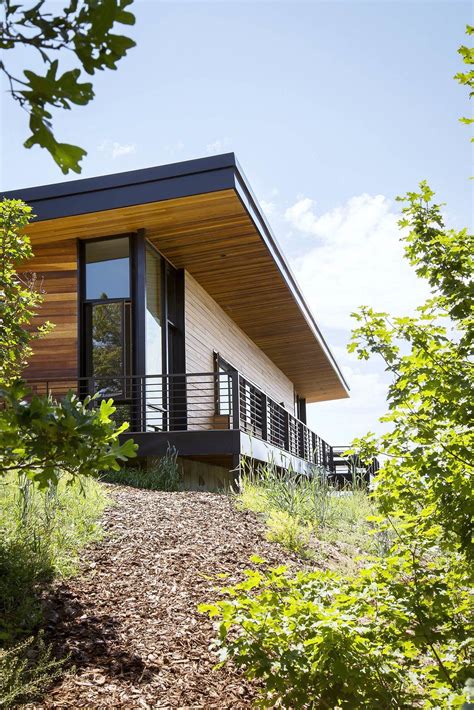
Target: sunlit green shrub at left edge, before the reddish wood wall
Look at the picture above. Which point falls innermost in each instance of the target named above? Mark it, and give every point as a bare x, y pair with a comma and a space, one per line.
20, 294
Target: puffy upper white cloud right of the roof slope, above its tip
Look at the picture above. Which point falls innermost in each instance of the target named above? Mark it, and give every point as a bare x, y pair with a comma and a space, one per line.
355, 258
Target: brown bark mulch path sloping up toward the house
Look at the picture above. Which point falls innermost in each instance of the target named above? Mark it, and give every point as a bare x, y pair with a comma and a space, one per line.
130, 619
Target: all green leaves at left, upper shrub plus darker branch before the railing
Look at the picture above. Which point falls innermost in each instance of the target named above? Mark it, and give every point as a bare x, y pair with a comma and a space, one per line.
39, 436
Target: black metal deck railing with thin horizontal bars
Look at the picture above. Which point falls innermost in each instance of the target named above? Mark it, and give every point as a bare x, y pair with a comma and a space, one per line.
203, 401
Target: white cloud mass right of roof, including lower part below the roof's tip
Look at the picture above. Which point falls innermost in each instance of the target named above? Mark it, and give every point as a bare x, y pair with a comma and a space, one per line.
346, 257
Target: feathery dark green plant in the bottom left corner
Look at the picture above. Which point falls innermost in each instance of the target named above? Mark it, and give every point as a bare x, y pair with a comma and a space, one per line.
26, 671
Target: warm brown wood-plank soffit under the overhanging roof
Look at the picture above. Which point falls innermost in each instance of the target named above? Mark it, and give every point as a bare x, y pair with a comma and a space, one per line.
215, 239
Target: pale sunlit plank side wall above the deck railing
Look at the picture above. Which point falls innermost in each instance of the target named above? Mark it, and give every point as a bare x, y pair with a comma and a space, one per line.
209, 328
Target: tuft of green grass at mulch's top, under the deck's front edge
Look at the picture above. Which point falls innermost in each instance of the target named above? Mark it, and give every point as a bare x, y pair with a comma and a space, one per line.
163, 474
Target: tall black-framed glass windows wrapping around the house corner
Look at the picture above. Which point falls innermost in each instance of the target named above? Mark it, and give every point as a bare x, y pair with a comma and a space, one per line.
112, 319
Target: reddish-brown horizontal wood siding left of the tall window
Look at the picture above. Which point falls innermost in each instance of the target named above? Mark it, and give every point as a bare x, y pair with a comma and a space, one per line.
55, 265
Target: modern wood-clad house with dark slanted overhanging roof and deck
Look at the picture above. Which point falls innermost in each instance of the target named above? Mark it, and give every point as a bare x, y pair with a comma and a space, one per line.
169, 293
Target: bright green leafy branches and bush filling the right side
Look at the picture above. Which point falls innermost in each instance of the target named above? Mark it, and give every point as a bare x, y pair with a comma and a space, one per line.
396, 633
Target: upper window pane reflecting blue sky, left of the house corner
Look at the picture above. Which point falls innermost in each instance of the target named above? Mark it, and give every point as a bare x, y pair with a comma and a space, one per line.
107, 269
